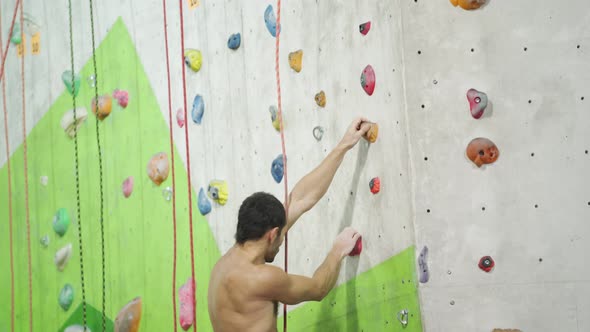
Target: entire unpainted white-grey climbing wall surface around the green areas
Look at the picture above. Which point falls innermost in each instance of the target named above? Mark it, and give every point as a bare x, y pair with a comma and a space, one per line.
536, 197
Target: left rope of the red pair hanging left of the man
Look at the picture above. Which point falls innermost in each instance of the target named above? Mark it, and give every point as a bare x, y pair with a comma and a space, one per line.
172, 159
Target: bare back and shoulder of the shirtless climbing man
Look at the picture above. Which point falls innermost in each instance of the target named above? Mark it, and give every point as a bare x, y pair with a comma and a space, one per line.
233, 301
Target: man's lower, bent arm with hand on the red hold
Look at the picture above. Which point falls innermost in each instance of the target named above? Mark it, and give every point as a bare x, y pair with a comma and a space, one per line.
277, 285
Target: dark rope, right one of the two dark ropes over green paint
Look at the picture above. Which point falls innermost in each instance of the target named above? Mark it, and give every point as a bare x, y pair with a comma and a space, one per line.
100, 170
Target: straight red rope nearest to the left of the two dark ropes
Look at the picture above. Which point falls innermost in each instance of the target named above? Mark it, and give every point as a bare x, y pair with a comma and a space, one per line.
26, 179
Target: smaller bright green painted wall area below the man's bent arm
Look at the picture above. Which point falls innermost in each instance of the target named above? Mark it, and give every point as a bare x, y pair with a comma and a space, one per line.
368, 303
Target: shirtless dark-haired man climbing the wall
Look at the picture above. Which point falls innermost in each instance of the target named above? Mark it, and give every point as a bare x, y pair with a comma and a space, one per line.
244, 291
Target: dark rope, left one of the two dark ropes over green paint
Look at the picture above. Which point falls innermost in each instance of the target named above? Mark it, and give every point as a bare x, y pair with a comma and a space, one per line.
78, 213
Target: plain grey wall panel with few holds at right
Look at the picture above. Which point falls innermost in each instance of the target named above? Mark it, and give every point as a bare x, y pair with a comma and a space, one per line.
529, 209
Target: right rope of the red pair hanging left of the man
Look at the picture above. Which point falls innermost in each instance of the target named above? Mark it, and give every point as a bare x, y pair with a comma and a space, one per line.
188, 167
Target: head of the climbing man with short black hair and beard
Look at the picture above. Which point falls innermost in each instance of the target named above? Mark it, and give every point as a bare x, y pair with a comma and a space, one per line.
262, 218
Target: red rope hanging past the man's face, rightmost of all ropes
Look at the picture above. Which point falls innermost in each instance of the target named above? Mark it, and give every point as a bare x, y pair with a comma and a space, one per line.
277, 68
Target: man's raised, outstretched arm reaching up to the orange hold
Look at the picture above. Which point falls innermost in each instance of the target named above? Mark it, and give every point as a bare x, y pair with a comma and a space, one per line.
313, 186
